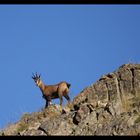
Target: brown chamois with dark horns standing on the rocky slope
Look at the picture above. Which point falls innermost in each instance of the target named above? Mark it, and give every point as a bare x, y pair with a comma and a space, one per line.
53, 91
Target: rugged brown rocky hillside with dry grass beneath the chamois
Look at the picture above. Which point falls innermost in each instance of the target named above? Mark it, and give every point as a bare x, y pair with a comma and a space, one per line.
111, 106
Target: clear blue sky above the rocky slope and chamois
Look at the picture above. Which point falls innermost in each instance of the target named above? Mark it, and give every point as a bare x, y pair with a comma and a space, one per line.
76, 43
